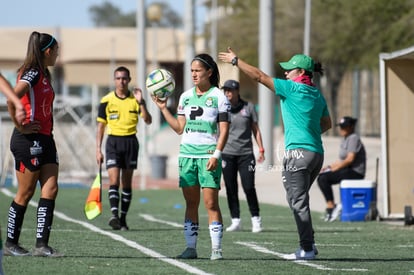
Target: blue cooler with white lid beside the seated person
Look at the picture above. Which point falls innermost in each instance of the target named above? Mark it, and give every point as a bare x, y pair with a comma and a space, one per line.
356, 198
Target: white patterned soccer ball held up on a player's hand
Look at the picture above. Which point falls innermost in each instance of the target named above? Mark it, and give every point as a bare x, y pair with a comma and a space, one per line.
160, 83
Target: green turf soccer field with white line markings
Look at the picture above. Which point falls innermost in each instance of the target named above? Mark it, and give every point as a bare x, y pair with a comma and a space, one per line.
155, 238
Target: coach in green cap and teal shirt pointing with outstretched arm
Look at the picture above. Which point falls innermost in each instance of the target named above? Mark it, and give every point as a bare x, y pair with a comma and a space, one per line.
305, 117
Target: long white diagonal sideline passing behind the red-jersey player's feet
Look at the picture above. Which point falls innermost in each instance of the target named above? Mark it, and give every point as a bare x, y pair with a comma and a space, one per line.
142, 249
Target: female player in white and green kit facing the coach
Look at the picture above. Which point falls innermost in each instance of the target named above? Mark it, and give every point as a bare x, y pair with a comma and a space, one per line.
203, 121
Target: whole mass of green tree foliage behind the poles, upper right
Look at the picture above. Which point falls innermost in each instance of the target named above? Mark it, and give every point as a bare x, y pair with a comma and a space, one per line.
345, 34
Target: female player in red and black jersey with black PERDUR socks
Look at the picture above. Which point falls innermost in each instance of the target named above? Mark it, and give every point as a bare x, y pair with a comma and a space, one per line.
33, 146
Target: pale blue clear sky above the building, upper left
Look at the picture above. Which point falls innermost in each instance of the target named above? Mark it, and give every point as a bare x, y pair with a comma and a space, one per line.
68, 13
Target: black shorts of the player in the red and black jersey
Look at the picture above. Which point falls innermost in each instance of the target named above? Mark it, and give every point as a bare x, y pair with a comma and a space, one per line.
32, 151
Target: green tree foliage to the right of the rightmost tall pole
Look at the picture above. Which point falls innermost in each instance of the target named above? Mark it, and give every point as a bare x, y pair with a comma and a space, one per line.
350, 34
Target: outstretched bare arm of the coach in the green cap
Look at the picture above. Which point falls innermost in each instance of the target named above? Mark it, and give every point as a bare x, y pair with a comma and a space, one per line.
254, 73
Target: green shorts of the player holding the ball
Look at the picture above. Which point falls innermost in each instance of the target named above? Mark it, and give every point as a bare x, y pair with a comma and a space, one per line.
193, 171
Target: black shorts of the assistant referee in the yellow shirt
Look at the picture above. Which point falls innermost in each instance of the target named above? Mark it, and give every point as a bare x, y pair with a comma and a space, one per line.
122, 152
